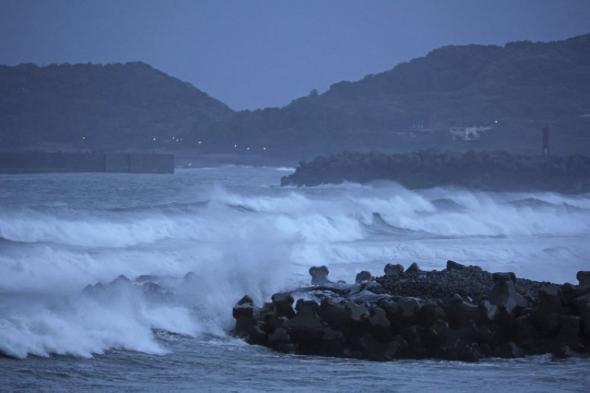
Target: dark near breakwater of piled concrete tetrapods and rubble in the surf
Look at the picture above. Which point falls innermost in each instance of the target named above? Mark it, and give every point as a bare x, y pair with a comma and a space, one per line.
459, 313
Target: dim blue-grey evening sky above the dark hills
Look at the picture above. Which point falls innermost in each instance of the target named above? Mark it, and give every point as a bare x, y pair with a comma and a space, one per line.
253, 54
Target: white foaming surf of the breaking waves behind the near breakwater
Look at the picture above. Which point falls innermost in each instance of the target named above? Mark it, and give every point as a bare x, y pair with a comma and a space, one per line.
252, 243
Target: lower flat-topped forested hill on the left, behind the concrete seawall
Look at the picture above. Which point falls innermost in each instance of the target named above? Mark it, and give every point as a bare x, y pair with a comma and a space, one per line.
95, 106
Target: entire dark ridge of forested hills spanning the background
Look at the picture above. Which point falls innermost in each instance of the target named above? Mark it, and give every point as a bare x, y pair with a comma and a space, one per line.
512, 90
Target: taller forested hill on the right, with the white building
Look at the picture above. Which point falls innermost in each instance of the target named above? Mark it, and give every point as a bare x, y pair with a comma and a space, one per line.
516, 89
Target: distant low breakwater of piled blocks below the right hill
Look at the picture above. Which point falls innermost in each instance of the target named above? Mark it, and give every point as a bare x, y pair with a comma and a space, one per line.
491, 171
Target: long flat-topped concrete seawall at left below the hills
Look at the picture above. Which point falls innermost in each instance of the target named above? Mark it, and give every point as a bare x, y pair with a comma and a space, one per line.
39, 162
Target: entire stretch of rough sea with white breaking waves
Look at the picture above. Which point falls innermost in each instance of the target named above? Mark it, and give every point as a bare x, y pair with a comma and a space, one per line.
207, 236
